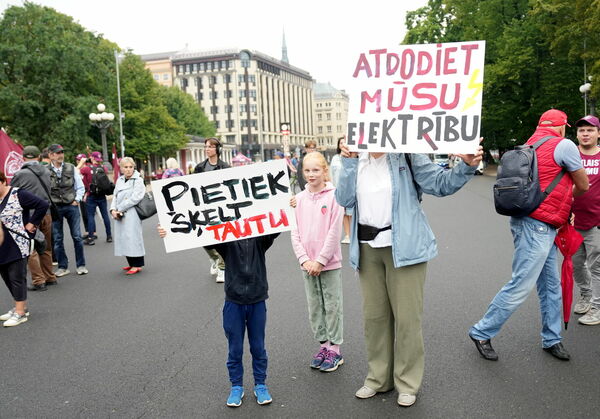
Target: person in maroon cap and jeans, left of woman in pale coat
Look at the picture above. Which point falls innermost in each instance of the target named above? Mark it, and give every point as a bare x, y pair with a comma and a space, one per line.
97, 186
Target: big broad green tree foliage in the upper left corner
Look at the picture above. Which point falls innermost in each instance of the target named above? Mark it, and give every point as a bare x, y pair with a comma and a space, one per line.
52, 73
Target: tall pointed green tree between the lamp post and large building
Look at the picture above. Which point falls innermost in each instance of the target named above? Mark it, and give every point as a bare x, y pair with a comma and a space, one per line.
148, 126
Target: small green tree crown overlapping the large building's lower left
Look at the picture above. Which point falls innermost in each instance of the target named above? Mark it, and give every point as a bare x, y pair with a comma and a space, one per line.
186, 112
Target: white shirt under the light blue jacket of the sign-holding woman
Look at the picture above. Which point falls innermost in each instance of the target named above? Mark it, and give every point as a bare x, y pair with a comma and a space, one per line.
374, 197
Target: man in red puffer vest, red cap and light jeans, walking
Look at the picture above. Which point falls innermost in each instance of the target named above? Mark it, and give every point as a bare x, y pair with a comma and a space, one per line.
534, 259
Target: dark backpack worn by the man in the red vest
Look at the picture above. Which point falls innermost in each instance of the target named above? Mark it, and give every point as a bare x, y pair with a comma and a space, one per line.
517, 190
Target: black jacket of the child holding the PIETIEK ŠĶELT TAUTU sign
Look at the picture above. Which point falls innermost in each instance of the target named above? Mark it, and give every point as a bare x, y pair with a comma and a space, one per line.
245, 269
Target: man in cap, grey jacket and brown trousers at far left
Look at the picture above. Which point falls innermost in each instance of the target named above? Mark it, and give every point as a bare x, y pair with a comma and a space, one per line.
35, 178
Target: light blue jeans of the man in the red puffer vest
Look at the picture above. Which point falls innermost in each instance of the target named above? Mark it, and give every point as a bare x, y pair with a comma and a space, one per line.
534, 263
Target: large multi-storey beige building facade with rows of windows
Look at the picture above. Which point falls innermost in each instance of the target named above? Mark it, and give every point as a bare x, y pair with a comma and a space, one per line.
248, 95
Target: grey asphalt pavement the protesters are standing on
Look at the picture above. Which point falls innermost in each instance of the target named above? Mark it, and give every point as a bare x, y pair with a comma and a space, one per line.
104, 345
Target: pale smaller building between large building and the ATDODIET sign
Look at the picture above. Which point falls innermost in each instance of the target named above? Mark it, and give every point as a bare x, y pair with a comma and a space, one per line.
330, 115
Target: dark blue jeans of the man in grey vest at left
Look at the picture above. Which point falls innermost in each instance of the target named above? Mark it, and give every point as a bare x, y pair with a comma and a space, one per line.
71, 213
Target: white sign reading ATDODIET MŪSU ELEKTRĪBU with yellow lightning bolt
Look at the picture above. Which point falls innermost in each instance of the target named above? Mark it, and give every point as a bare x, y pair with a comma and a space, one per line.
417, 98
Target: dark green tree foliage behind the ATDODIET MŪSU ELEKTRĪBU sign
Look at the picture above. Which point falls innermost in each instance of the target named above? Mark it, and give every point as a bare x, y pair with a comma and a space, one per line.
529, 68
